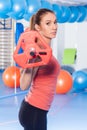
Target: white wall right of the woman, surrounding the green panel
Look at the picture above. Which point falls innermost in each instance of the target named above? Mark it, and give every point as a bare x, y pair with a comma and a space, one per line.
73, 35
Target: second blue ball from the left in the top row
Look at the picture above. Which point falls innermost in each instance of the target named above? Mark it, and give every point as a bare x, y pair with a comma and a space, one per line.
18, 9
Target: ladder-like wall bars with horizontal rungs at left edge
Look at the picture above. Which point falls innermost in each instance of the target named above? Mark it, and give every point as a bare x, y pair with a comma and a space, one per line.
6, 43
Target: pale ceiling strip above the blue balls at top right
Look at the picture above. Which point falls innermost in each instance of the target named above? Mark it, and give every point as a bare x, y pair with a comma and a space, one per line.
70, 2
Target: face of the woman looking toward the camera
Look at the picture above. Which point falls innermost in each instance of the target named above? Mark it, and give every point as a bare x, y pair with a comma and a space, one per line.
48, 26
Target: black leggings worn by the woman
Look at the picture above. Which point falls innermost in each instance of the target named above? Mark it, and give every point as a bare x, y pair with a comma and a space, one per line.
32, 118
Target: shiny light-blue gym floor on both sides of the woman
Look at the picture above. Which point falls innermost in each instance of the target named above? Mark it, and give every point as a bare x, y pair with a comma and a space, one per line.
68, 112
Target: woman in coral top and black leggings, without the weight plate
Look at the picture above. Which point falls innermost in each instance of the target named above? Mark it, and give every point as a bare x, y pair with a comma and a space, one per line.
35, 106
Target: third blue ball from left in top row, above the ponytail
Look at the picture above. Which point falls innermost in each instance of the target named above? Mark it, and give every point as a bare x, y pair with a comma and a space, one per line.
32, 7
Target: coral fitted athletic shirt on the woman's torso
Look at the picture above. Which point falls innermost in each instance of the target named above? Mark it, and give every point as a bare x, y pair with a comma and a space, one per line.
42, 91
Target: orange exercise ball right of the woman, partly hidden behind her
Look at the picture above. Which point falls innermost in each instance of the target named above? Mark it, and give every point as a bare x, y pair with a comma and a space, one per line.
64, 82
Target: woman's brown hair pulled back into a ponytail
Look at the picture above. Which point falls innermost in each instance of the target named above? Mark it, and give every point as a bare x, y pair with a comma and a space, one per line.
36, 18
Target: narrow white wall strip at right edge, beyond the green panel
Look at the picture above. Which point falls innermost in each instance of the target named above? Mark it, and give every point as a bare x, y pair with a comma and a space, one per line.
82, 46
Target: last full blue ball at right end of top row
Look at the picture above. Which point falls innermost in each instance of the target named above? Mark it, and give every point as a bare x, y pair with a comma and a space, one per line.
82, 13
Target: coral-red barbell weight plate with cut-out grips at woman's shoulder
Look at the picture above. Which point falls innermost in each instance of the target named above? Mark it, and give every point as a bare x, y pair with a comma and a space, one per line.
32, 48
